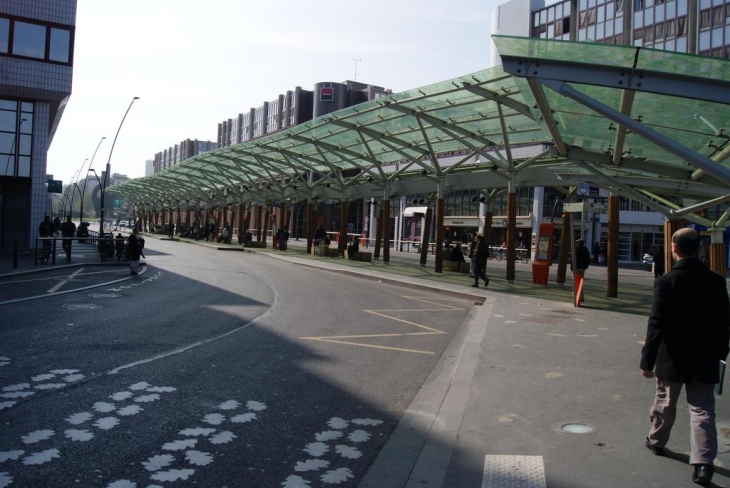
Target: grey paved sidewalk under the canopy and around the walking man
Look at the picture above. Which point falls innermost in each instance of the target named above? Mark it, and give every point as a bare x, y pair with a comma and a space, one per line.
524, 371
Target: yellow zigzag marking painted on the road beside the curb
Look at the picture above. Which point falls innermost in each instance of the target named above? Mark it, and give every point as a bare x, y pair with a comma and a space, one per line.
380, 313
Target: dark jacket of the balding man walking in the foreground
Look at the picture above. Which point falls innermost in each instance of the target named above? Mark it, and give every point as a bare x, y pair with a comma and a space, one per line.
689, 325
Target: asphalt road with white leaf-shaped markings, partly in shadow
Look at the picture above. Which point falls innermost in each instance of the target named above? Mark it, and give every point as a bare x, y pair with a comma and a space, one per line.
212, 368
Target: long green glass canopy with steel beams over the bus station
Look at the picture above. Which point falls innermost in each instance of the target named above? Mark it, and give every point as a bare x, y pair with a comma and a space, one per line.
646, 124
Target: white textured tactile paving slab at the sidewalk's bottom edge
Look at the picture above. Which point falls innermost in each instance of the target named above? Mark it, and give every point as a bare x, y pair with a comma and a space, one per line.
513, 472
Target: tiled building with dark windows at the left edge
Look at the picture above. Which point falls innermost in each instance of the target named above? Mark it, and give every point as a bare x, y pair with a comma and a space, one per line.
36, 62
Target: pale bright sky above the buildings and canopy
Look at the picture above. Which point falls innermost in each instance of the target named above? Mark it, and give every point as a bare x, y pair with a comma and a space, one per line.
194, 64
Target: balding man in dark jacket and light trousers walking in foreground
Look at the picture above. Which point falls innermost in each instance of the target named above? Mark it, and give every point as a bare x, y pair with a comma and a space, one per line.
686, 337
